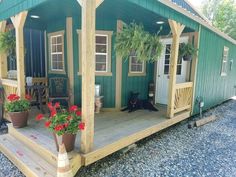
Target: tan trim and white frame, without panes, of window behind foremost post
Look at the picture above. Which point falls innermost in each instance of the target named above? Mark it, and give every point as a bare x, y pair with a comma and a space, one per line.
108, 71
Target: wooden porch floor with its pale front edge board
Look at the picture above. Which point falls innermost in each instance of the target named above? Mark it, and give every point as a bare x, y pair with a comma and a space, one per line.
113, 131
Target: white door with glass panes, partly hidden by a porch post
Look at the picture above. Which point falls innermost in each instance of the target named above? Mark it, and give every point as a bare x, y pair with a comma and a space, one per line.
162, 77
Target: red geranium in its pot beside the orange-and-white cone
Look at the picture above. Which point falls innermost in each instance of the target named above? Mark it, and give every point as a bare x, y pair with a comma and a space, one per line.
63, 124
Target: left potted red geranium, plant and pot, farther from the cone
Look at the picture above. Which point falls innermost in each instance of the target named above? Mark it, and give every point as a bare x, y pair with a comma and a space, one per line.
18, 110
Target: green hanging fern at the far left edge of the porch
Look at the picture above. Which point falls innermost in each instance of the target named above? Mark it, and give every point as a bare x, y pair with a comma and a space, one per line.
8, 43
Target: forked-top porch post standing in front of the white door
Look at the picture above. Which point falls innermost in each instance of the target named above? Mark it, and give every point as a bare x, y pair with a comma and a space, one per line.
176, 29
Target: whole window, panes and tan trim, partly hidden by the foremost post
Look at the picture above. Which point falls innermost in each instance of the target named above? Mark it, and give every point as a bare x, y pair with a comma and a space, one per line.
103, 53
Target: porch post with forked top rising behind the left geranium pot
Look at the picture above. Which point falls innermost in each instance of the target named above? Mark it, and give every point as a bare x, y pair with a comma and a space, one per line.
18, 22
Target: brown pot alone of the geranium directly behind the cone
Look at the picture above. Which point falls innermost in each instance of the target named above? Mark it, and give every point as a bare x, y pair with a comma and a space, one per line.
67, 139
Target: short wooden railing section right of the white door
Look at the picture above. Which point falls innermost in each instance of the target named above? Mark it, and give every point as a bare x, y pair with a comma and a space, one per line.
183, 97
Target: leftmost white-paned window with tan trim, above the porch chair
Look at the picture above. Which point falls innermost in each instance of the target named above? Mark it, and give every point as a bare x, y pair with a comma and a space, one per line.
56, 52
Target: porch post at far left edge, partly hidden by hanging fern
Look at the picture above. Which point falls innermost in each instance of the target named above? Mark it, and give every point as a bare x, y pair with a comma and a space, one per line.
3, 57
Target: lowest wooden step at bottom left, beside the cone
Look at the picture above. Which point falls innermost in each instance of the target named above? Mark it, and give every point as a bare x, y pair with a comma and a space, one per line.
26, 160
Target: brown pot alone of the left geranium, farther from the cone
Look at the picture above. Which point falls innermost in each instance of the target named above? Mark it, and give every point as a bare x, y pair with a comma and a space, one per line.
19, 119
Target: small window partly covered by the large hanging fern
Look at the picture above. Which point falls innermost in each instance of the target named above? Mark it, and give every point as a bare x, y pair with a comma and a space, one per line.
136, 66
